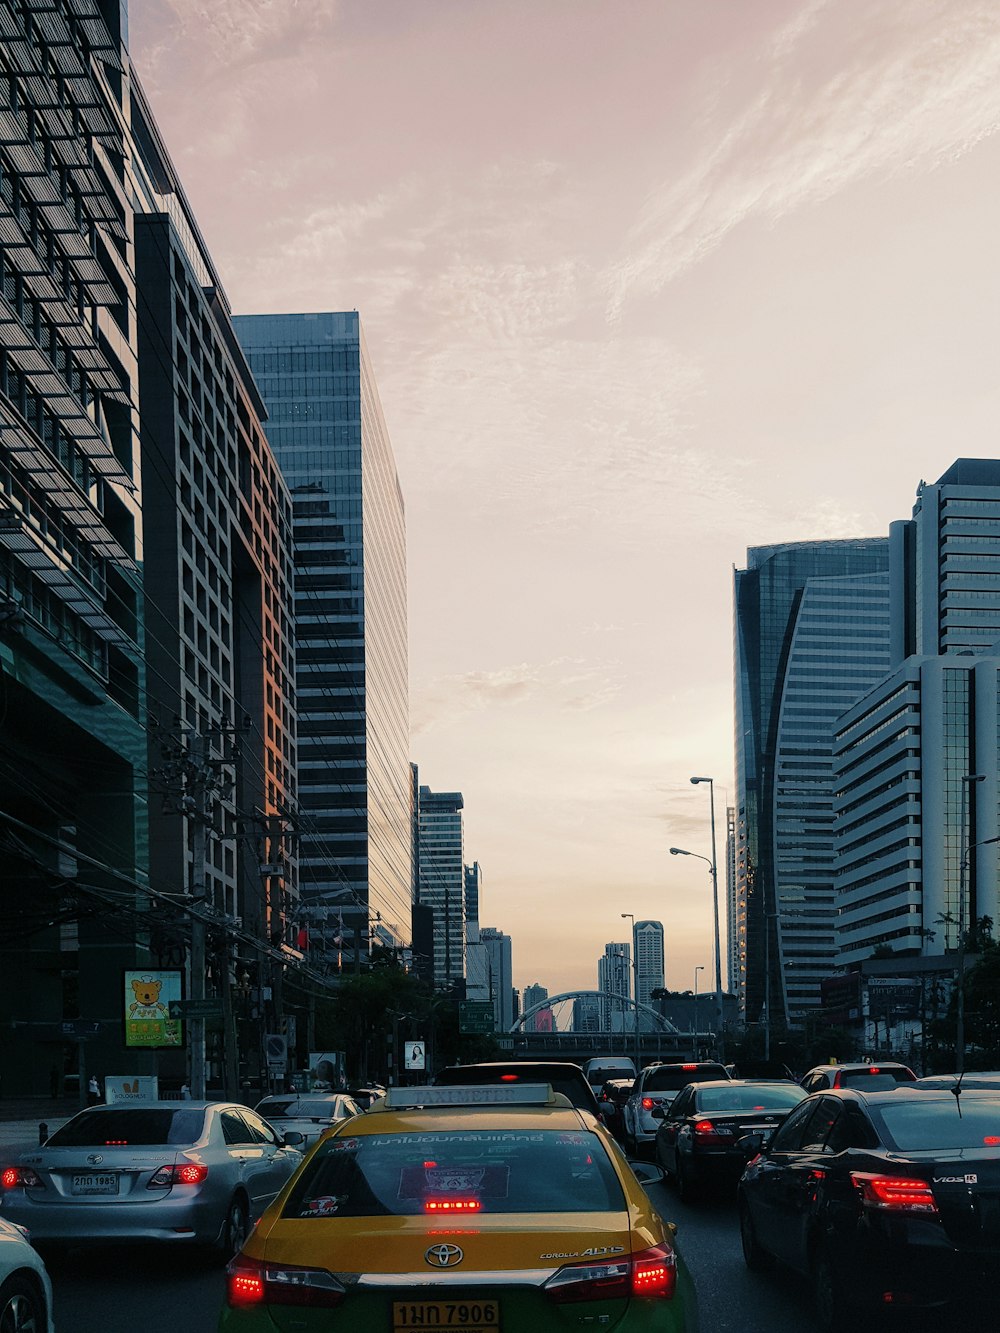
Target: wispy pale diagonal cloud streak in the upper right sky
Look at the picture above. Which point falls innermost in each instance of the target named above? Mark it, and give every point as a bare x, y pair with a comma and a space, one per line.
849, 94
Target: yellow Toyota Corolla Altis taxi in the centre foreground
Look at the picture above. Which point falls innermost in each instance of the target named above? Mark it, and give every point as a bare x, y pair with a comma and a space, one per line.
462, 1211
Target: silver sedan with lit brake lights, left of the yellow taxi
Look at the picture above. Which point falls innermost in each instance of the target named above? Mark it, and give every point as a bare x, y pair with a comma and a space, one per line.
189, 1174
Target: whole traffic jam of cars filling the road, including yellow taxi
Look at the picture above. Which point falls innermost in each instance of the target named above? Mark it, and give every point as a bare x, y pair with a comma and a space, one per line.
515, 1196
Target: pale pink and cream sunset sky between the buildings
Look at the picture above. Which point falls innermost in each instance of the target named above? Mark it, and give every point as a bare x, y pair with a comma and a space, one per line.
645, 283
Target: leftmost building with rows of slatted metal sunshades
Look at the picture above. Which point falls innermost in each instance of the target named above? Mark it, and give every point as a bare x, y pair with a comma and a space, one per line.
73, 744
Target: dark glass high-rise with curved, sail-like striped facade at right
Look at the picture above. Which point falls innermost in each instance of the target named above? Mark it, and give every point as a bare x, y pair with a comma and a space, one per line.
811, 623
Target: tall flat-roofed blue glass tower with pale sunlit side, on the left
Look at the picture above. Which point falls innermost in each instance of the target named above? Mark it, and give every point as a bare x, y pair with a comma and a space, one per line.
330, 438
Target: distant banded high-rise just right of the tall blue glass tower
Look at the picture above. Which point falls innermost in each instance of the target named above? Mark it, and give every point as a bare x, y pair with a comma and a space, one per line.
442, 884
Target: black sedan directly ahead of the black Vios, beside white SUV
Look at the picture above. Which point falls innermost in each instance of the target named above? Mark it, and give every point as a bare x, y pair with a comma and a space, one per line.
698, 1140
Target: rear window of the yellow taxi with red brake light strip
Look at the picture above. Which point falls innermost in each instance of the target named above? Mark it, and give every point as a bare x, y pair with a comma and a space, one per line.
446, 1175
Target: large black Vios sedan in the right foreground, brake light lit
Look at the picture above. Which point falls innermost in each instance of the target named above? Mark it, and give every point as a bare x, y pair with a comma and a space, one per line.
886, 1200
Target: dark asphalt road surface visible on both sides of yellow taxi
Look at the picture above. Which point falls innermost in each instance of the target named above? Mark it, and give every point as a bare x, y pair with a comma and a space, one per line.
125, 1291
